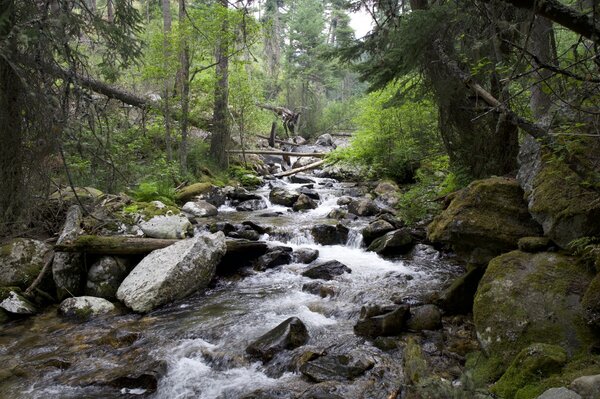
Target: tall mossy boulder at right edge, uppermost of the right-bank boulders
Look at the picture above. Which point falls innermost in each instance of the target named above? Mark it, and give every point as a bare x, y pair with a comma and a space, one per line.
557, 196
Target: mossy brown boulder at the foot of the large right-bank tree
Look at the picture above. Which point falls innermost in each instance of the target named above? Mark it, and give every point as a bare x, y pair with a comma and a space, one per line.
483, 220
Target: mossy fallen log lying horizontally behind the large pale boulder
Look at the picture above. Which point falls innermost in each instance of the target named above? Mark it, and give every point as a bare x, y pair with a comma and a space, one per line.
120, 245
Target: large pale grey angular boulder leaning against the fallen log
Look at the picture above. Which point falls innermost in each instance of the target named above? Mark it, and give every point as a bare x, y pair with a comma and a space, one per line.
173, 272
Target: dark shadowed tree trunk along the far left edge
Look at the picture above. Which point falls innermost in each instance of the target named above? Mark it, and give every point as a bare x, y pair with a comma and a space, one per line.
11, 132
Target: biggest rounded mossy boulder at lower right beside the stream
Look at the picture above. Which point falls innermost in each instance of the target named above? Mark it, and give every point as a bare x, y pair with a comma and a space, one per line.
526, 298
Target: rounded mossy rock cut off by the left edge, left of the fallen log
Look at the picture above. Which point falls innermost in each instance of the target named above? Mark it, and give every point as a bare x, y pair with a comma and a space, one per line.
21, 260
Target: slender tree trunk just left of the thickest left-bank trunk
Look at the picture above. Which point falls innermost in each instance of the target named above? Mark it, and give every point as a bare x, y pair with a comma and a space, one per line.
184, 80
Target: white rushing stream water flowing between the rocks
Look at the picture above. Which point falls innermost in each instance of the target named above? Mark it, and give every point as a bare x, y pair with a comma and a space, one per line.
199, 343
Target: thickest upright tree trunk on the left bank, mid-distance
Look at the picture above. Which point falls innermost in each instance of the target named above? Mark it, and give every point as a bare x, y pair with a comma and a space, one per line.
220, 134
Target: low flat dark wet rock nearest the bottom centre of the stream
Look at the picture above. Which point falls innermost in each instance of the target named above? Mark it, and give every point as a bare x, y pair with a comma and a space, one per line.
337, 367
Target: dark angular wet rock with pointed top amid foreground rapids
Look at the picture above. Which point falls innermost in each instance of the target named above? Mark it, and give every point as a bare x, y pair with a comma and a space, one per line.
290, 334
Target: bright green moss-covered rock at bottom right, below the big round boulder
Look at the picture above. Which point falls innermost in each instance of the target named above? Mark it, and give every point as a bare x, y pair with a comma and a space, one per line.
532, 363
